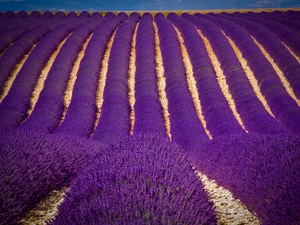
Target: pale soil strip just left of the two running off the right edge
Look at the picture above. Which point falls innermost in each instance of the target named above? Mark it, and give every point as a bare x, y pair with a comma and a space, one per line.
253, 81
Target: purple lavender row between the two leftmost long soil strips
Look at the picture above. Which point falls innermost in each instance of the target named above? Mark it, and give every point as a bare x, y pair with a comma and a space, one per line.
14, 107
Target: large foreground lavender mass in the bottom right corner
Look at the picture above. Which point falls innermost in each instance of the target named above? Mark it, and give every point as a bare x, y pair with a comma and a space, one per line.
262, 171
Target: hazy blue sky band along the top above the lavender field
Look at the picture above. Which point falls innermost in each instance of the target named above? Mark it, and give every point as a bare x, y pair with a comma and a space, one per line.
136, 5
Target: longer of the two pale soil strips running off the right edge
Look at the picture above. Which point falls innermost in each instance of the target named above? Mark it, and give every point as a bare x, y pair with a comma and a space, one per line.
278, 71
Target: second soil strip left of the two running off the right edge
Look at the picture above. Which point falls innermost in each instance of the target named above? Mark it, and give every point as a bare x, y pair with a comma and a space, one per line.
221, 79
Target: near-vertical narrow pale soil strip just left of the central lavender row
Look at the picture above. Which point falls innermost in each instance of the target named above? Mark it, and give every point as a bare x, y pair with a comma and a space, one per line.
131, 78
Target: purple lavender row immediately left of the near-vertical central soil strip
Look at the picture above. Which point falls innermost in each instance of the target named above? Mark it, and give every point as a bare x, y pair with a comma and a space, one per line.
114, 121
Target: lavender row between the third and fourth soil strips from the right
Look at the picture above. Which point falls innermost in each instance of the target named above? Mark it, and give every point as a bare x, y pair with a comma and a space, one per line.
254, 116
